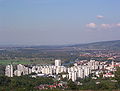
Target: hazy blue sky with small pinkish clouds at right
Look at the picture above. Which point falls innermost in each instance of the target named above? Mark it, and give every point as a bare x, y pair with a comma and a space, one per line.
58, 22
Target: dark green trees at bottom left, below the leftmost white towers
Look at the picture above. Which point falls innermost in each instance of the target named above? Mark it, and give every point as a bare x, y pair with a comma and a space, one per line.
23, 83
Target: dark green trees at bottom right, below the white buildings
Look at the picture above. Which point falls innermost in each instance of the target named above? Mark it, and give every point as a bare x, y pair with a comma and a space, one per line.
90, 84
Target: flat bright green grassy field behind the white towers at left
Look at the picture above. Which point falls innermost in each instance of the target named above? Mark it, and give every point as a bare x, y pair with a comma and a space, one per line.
5, 62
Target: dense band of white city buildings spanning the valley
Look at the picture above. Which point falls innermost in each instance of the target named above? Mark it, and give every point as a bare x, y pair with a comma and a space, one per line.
81, 70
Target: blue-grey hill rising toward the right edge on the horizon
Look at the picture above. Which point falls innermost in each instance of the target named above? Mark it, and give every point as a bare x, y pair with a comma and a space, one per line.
100, 45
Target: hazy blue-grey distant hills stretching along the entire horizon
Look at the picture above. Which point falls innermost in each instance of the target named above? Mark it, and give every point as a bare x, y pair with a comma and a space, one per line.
115, 44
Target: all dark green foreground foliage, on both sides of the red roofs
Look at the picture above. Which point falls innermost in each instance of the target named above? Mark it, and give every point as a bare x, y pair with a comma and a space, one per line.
26, 83
